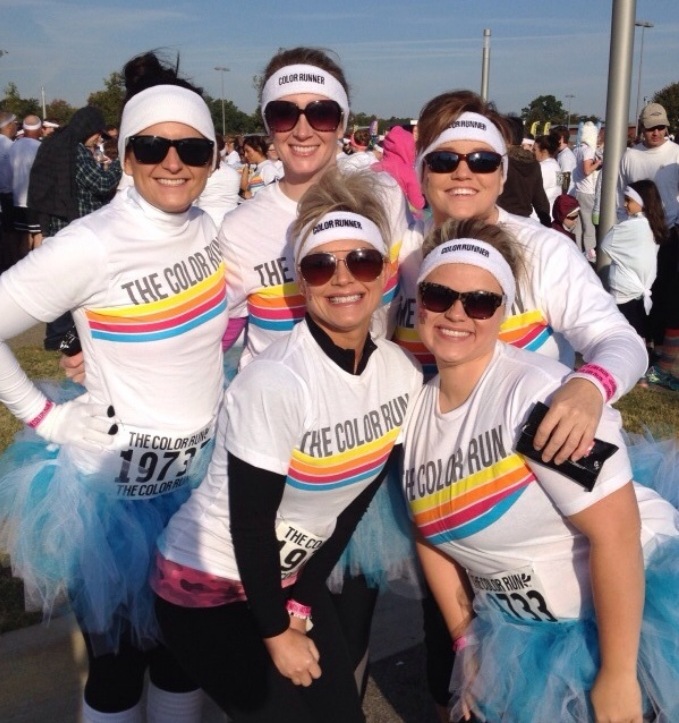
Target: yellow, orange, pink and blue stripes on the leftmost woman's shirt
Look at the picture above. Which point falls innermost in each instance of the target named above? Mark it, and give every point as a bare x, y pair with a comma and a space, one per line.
161, 319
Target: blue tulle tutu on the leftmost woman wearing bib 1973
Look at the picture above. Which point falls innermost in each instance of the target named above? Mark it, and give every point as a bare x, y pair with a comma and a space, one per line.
75, 544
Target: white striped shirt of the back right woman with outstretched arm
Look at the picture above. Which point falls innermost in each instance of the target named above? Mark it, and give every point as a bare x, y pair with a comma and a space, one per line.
560, 305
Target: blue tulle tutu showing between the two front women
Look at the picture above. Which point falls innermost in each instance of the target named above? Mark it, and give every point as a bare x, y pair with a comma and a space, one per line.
382, 547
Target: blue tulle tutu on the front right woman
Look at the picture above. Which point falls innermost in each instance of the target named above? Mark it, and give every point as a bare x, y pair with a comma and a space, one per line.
534, 672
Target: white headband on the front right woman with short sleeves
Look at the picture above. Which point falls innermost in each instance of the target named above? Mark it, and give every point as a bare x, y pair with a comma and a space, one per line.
475, 253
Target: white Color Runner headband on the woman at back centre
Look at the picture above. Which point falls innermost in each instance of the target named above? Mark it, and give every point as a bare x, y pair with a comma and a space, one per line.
293, 79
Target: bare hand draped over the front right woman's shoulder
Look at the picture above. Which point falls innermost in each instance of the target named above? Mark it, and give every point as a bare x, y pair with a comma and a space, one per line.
567, 431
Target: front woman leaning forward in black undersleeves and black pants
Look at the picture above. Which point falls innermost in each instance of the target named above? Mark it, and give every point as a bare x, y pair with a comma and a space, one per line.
305, 434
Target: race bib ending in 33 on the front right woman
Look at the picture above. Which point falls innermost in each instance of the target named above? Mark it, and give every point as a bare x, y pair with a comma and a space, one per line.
516, 593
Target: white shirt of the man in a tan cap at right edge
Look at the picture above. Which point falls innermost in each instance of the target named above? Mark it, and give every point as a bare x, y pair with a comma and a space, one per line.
660, 165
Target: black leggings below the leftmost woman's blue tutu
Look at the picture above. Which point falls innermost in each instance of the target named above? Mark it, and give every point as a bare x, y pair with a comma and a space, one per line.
115, 681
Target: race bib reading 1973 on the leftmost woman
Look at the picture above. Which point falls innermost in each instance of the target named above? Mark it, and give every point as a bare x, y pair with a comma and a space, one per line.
151, 464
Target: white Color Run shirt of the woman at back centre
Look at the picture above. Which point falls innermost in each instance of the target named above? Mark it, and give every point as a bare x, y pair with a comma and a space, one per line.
260, 268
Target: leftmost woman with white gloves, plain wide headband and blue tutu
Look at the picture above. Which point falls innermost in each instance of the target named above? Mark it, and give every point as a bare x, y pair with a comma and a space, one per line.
103, 472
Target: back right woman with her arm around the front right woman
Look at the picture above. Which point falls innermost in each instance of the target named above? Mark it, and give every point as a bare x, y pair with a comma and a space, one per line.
560, 304
